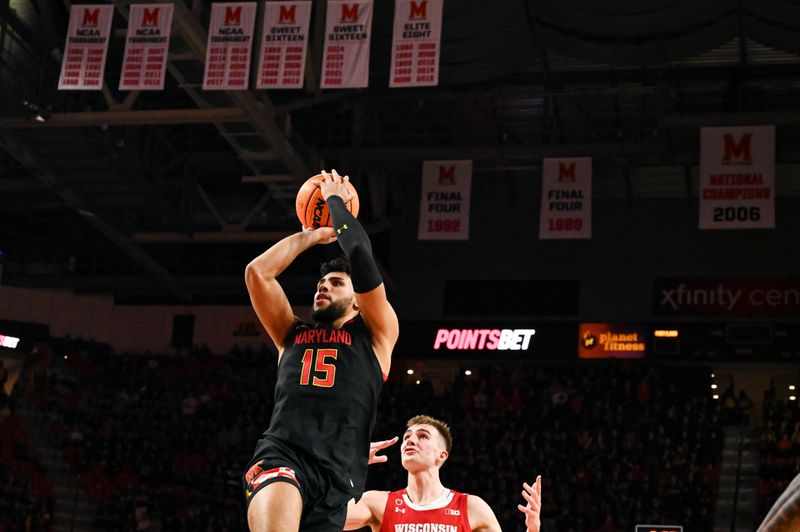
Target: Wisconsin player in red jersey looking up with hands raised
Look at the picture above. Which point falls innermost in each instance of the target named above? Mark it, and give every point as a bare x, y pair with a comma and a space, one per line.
425, 503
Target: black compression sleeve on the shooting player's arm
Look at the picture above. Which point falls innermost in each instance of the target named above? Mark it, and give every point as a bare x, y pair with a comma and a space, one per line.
355, 244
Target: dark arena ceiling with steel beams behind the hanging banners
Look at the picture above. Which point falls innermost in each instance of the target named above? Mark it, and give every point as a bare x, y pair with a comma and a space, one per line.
168, 194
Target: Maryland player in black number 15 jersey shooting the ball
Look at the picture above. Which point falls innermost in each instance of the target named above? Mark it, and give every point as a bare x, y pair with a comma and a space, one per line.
313, 457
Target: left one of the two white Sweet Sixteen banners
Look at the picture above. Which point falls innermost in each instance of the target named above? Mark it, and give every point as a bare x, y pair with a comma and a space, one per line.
284, 41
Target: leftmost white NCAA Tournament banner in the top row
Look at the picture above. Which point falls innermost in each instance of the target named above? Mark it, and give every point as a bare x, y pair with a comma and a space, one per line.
86, 47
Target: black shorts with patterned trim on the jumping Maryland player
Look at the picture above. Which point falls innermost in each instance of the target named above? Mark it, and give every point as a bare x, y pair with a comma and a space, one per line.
324, 502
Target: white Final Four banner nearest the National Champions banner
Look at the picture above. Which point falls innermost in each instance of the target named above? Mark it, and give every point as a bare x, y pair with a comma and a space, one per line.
566, 198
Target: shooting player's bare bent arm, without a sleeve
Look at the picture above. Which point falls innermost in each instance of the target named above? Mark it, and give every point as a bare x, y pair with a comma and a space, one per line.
266, 295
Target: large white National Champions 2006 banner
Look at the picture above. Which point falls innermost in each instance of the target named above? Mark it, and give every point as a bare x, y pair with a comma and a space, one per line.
737, 177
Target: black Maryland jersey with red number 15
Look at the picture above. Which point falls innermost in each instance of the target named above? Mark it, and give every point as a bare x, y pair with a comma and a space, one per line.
326, 398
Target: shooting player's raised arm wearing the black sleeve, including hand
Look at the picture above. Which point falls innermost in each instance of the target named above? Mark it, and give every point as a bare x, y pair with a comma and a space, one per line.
378, 314
